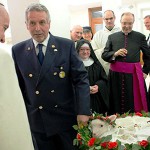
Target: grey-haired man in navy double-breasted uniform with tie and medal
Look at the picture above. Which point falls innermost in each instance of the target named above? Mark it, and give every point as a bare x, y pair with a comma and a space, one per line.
53, 81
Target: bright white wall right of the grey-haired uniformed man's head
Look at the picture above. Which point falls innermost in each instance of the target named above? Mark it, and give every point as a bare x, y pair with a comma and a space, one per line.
60, 20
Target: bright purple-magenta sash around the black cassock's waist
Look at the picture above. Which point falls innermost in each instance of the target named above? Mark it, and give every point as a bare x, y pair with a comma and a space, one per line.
140, 102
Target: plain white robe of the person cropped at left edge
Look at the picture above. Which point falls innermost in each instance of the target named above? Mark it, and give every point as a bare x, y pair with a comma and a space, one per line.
14, 124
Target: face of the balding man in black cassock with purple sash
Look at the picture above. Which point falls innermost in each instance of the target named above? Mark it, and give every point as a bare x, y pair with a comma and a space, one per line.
127, 23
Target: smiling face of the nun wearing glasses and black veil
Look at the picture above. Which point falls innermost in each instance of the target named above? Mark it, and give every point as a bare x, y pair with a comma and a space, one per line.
84, 52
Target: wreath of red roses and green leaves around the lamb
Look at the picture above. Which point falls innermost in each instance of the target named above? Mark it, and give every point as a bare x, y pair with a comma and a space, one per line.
86, 141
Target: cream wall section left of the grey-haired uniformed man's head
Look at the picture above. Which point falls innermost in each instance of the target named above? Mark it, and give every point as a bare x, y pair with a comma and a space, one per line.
17, 19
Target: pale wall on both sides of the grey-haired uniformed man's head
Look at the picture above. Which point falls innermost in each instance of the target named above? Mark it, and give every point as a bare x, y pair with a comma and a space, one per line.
60, 21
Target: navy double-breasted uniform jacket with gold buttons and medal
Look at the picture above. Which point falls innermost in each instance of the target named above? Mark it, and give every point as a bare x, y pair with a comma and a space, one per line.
52, 91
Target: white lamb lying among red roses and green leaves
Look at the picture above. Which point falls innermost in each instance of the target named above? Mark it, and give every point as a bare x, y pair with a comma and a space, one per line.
127, 130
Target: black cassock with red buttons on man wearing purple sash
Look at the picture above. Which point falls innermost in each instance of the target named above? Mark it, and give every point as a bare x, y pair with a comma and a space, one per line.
121, 84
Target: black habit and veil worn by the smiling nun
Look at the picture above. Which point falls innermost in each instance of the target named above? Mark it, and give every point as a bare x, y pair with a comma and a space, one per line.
97, 76
